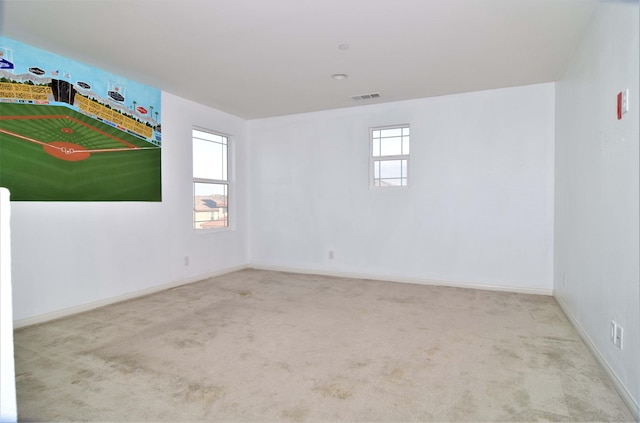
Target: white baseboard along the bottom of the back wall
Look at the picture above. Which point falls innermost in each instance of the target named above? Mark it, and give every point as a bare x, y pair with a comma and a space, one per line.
390, 278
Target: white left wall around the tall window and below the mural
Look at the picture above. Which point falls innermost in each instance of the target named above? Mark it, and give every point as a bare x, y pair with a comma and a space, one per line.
69, 254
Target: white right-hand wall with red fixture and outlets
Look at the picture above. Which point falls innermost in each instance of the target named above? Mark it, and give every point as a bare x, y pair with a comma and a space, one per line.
597, 238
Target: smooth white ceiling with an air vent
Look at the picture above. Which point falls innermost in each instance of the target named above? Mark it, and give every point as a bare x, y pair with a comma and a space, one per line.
263, 58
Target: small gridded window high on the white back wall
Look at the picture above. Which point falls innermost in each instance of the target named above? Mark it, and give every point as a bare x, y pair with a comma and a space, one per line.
390, 156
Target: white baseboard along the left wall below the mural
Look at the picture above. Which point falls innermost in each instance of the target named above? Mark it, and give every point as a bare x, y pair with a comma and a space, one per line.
46, 317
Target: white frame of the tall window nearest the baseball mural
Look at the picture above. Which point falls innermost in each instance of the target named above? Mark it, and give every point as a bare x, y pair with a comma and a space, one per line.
228, 182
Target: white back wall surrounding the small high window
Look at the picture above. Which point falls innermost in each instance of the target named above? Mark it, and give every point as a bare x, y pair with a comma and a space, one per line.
479, 209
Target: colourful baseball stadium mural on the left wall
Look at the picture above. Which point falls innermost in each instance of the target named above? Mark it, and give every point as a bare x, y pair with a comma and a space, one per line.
71, 132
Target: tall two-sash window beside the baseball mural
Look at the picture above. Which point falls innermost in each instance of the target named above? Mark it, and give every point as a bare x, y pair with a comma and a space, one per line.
210, 180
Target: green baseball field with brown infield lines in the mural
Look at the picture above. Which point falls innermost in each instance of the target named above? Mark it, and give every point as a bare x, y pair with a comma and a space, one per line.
52, 153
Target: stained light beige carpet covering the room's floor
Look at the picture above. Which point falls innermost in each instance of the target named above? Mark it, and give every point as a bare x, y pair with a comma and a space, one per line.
267, 346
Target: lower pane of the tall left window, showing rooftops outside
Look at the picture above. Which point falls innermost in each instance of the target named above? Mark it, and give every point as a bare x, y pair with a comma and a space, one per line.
210, 205
